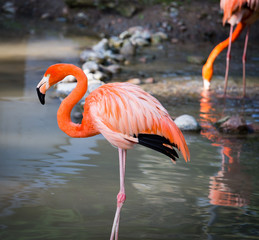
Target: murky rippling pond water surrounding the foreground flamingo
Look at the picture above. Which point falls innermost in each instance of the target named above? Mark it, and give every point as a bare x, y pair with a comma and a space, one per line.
55, 187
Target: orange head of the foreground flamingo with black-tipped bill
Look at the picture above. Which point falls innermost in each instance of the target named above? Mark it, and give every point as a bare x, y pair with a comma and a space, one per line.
53, 75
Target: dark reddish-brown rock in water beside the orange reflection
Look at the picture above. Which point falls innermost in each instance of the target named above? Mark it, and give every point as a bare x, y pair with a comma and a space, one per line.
234, 125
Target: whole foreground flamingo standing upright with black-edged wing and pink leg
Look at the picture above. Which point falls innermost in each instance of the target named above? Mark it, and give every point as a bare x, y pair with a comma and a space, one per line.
123, 113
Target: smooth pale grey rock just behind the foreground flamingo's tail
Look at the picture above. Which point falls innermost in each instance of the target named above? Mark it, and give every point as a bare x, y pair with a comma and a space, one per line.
187, 123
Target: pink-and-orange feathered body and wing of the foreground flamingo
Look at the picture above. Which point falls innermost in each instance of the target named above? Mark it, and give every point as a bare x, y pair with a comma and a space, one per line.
126, 115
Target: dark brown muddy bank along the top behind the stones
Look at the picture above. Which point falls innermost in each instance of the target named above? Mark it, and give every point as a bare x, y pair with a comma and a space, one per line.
184, 21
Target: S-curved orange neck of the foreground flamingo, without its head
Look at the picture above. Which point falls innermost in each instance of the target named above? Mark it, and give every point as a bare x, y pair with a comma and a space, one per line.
64, 112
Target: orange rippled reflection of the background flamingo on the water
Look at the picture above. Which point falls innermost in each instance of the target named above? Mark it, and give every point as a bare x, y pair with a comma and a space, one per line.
230, 186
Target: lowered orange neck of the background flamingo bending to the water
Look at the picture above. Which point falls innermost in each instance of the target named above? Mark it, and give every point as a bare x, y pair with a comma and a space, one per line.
221, 46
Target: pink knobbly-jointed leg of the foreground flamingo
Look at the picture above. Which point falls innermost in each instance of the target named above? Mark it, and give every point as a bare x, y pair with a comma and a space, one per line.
121, 197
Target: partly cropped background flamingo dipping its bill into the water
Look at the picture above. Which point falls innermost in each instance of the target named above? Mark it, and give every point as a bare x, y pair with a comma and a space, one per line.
240, 12
